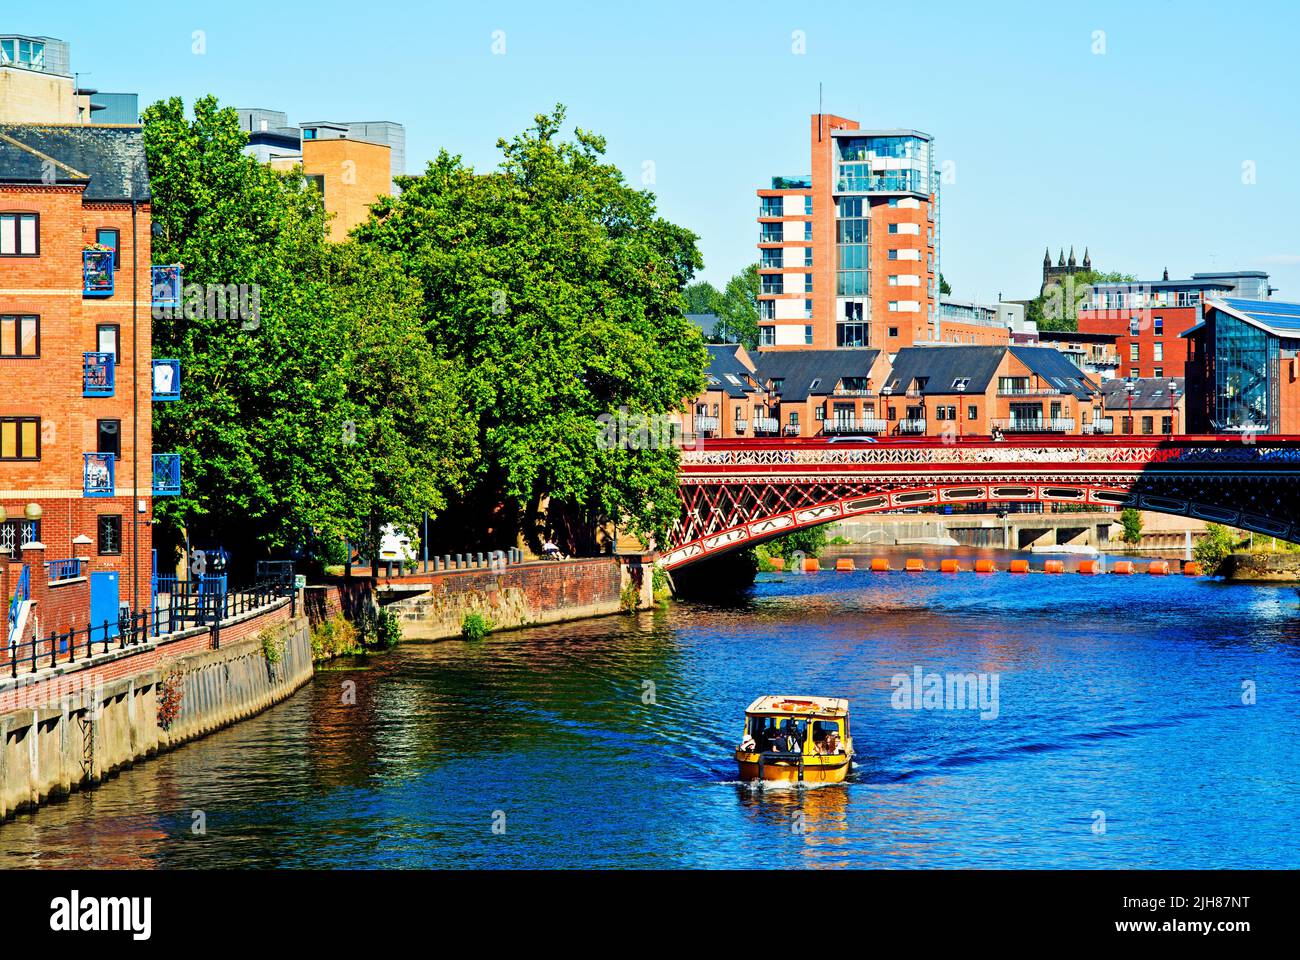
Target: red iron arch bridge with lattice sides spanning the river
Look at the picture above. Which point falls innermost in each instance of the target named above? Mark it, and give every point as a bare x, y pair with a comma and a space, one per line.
740, 492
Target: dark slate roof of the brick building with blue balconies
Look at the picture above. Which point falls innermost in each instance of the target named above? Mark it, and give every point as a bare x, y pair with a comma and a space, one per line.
110, 161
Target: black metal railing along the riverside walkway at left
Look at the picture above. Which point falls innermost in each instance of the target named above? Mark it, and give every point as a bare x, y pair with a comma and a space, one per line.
188, 607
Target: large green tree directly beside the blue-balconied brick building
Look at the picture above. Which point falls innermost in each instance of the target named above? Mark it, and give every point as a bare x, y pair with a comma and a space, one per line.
275, 397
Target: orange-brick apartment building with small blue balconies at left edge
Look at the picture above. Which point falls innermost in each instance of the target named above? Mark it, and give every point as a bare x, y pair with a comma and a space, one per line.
77, 375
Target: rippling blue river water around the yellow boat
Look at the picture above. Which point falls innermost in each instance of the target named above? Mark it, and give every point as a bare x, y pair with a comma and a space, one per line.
1141, 723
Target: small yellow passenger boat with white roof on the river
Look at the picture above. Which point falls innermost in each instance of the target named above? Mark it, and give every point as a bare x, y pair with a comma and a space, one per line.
796, 740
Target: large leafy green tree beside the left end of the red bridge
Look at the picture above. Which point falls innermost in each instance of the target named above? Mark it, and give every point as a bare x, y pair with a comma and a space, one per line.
557, 289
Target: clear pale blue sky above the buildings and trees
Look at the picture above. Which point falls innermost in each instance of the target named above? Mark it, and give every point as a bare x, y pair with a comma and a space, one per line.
1136, 153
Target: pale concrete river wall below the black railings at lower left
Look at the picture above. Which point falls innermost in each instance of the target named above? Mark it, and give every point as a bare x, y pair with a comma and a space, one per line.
73, 729
